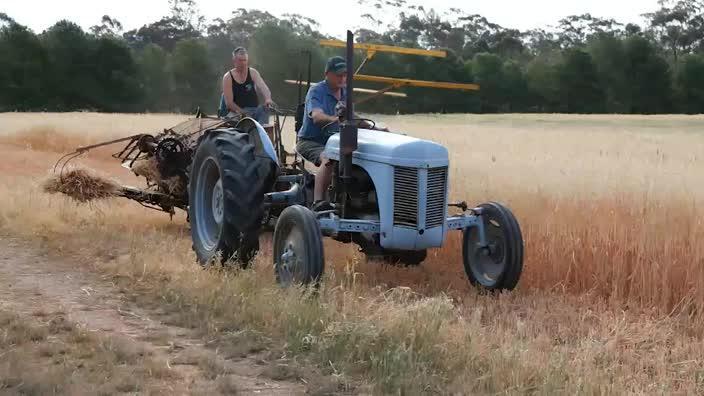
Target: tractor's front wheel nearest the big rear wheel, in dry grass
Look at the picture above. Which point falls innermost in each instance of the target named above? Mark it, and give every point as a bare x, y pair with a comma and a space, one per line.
298, 247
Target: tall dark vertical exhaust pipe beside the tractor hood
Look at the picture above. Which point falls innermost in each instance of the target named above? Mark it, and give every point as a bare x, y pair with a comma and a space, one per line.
348, 135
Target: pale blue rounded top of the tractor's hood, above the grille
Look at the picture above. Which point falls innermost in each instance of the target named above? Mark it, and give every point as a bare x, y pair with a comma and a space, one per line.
393, 149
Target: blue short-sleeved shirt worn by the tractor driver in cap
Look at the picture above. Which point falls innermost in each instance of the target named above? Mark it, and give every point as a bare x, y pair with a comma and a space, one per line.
319, 96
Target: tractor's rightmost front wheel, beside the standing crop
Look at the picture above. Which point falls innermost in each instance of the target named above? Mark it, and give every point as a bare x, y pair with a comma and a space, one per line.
498, 266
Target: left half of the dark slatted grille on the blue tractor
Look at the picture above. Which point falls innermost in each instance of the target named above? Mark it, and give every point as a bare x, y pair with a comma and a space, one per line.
406, 196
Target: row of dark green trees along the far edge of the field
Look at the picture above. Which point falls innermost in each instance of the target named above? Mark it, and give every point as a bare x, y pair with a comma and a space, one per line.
583, 64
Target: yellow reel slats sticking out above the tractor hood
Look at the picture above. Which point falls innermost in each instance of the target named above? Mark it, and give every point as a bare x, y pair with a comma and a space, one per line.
395, 83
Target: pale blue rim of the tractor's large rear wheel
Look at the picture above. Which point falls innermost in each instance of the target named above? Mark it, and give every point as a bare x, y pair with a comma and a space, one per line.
209, 204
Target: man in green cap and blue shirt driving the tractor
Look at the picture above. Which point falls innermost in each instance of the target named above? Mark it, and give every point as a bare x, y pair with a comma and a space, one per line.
324, 109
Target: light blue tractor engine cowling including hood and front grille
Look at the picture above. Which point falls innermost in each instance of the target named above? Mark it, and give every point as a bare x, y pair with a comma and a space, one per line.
410, 177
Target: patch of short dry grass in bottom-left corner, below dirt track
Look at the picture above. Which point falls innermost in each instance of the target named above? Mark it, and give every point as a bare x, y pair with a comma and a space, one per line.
58, 357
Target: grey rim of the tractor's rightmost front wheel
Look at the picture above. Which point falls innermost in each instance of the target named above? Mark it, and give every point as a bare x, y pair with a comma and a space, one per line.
488, 264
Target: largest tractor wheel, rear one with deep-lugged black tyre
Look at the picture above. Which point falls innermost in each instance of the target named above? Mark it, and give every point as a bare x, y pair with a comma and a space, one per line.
226, 190
